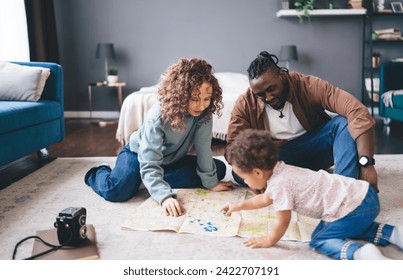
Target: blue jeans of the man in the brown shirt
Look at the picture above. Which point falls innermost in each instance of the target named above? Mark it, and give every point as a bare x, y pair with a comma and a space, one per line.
330, 144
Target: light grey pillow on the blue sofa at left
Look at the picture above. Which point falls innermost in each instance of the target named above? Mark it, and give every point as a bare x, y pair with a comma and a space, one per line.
19, 82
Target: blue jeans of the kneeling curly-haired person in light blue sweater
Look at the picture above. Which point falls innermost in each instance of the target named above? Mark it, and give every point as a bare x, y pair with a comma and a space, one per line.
122, 182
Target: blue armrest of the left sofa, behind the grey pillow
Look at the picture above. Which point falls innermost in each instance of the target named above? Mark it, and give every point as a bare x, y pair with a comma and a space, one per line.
54, 85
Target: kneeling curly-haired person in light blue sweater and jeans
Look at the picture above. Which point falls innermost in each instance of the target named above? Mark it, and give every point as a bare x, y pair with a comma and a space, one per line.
157, 153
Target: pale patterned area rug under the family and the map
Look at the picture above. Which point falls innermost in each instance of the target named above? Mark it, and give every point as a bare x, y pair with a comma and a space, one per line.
33, 203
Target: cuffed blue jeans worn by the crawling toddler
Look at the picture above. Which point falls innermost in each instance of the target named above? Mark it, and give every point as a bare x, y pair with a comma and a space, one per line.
334, 239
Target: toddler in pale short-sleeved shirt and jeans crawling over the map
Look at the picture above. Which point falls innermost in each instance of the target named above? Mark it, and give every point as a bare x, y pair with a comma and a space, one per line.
347, 207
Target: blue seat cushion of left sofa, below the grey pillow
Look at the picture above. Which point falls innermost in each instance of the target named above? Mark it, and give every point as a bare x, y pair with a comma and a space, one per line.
16, 115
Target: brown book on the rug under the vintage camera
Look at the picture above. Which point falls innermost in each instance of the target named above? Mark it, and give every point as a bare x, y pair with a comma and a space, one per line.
88, 250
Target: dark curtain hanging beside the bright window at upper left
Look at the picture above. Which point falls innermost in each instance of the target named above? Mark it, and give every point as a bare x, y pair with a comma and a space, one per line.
42, 30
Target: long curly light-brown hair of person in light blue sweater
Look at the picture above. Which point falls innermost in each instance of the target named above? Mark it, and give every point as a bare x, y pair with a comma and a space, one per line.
176, 88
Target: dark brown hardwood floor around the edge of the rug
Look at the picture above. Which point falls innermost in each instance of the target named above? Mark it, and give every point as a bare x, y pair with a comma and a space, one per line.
84, 139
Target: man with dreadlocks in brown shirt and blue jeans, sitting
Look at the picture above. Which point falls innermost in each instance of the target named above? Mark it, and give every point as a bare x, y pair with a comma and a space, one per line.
296, 109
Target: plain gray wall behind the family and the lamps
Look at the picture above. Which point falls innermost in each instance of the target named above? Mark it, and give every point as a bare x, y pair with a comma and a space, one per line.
149, 35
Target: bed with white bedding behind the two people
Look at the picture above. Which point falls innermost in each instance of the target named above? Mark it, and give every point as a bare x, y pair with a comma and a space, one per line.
136, 105
